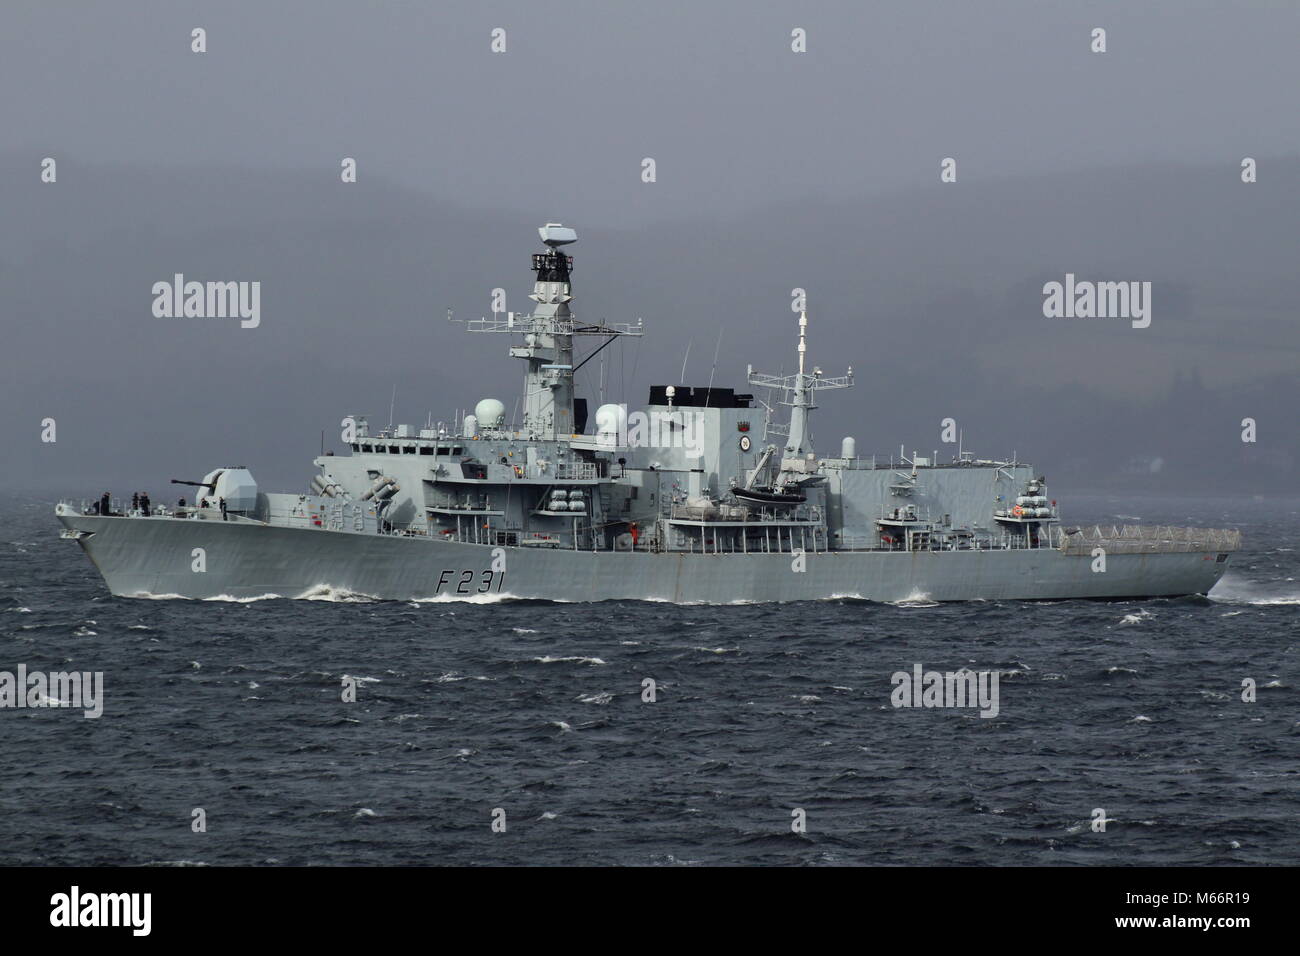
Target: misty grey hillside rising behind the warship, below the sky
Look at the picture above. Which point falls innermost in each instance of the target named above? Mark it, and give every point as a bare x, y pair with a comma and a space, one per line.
934, 297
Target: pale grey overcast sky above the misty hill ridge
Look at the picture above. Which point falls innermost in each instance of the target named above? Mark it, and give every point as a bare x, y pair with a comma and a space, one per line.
587, 89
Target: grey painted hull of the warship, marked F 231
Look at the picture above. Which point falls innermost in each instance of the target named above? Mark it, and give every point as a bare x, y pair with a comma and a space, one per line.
154, 557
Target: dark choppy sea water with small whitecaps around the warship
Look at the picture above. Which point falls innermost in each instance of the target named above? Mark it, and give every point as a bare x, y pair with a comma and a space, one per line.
536, 708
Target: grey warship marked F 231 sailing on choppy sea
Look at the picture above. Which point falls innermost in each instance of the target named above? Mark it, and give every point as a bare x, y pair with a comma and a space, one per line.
705, 495
